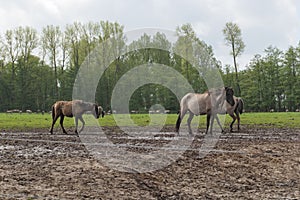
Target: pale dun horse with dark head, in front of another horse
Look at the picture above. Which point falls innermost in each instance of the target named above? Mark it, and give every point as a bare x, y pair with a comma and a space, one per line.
207, 103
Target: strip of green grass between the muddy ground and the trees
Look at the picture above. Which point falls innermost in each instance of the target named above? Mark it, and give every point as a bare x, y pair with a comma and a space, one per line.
27, 122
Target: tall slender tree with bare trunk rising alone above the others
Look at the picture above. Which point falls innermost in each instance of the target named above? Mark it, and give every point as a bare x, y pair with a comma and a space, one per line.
233, 38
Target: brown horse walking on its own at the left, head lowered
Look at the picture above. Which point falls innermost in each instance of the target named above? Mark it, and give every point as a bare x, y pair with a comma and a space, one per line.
74, 108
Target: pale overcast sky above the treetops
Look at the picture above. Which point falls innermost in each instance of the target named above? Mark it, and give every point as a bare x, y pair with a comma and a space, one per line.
263, 22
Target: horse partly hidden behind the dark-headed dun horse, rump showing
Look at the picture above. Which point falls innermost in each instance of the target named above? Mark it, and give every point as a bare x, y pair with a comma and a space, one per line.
234, 111
